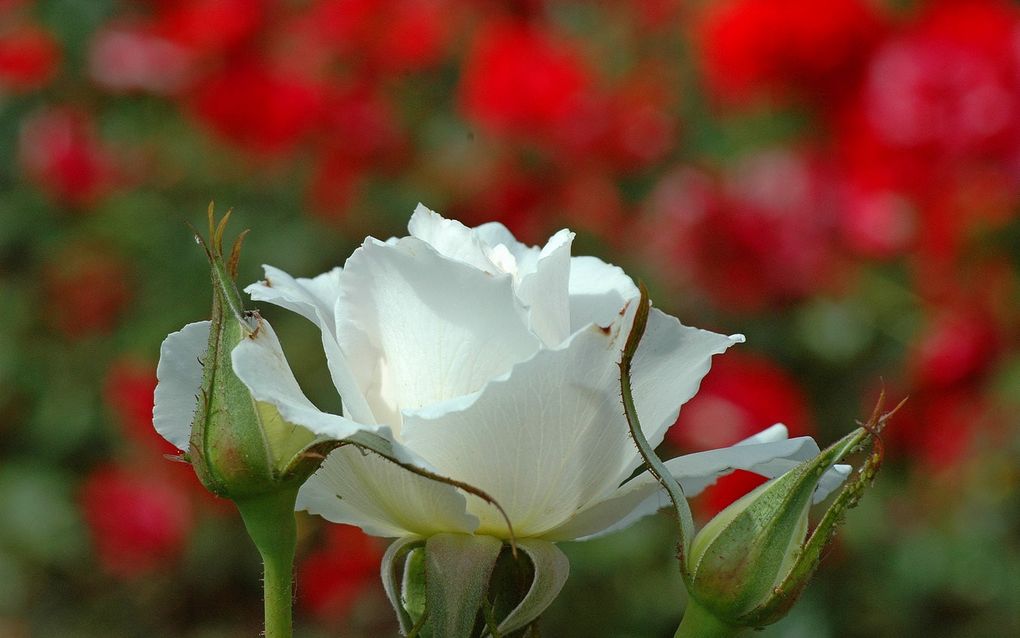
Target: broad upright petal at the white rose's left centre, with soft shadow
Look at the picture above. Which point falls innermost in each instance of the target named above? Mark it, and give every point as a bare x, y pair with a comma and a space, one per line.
422, 328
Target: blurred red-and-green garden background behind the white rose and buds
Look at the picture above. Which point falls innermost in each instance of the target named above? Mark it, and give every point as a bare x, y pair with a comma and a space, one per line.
839, 180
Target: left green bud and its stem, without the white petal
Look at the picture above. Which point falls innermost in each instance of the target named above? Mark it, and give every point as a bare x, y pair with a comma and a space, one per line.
241, 449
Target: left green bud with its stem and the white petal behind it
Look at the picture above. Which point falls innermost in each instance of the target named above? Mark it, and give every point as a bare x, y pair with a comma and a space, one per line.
241, 449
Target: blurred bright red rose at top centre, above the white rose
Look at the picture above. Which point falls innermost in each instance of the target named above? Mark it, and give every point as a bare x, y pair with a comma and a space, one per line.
521, 78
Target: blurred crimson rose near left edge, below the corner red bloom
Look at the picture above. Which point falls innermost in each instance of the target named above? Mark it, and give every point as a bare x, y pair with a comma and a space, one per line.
59, 151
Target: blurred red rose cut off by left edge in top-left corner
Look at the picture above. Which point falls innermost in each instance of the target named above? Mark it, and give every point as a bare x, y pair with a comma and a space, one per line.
30, 57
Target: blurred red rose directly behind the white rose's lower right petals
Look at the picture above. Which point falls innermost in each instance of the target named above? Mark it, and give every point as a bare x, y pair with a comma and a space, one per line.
742, 396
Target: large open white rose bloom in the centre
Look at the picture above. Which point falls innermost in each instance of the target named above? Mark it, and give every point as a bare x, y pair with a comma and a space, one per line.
494, 364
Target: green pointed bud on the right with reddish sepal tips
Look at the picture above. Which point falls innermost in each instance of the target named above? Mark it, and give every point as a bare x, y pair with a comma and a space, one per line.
748, 566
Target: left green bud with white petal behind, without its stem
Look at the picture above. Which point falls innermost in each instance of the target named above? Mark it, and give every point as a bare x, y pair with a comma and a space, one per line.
240, 448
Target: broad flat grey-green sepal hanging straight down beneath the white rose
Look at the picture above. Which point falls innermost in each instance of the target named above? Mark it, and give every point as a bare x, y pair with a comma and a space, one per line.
457, 571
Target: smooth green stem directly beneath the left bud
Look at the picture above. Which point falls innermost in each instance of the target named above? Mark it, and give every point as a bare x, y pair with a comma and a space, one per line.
271, 523
